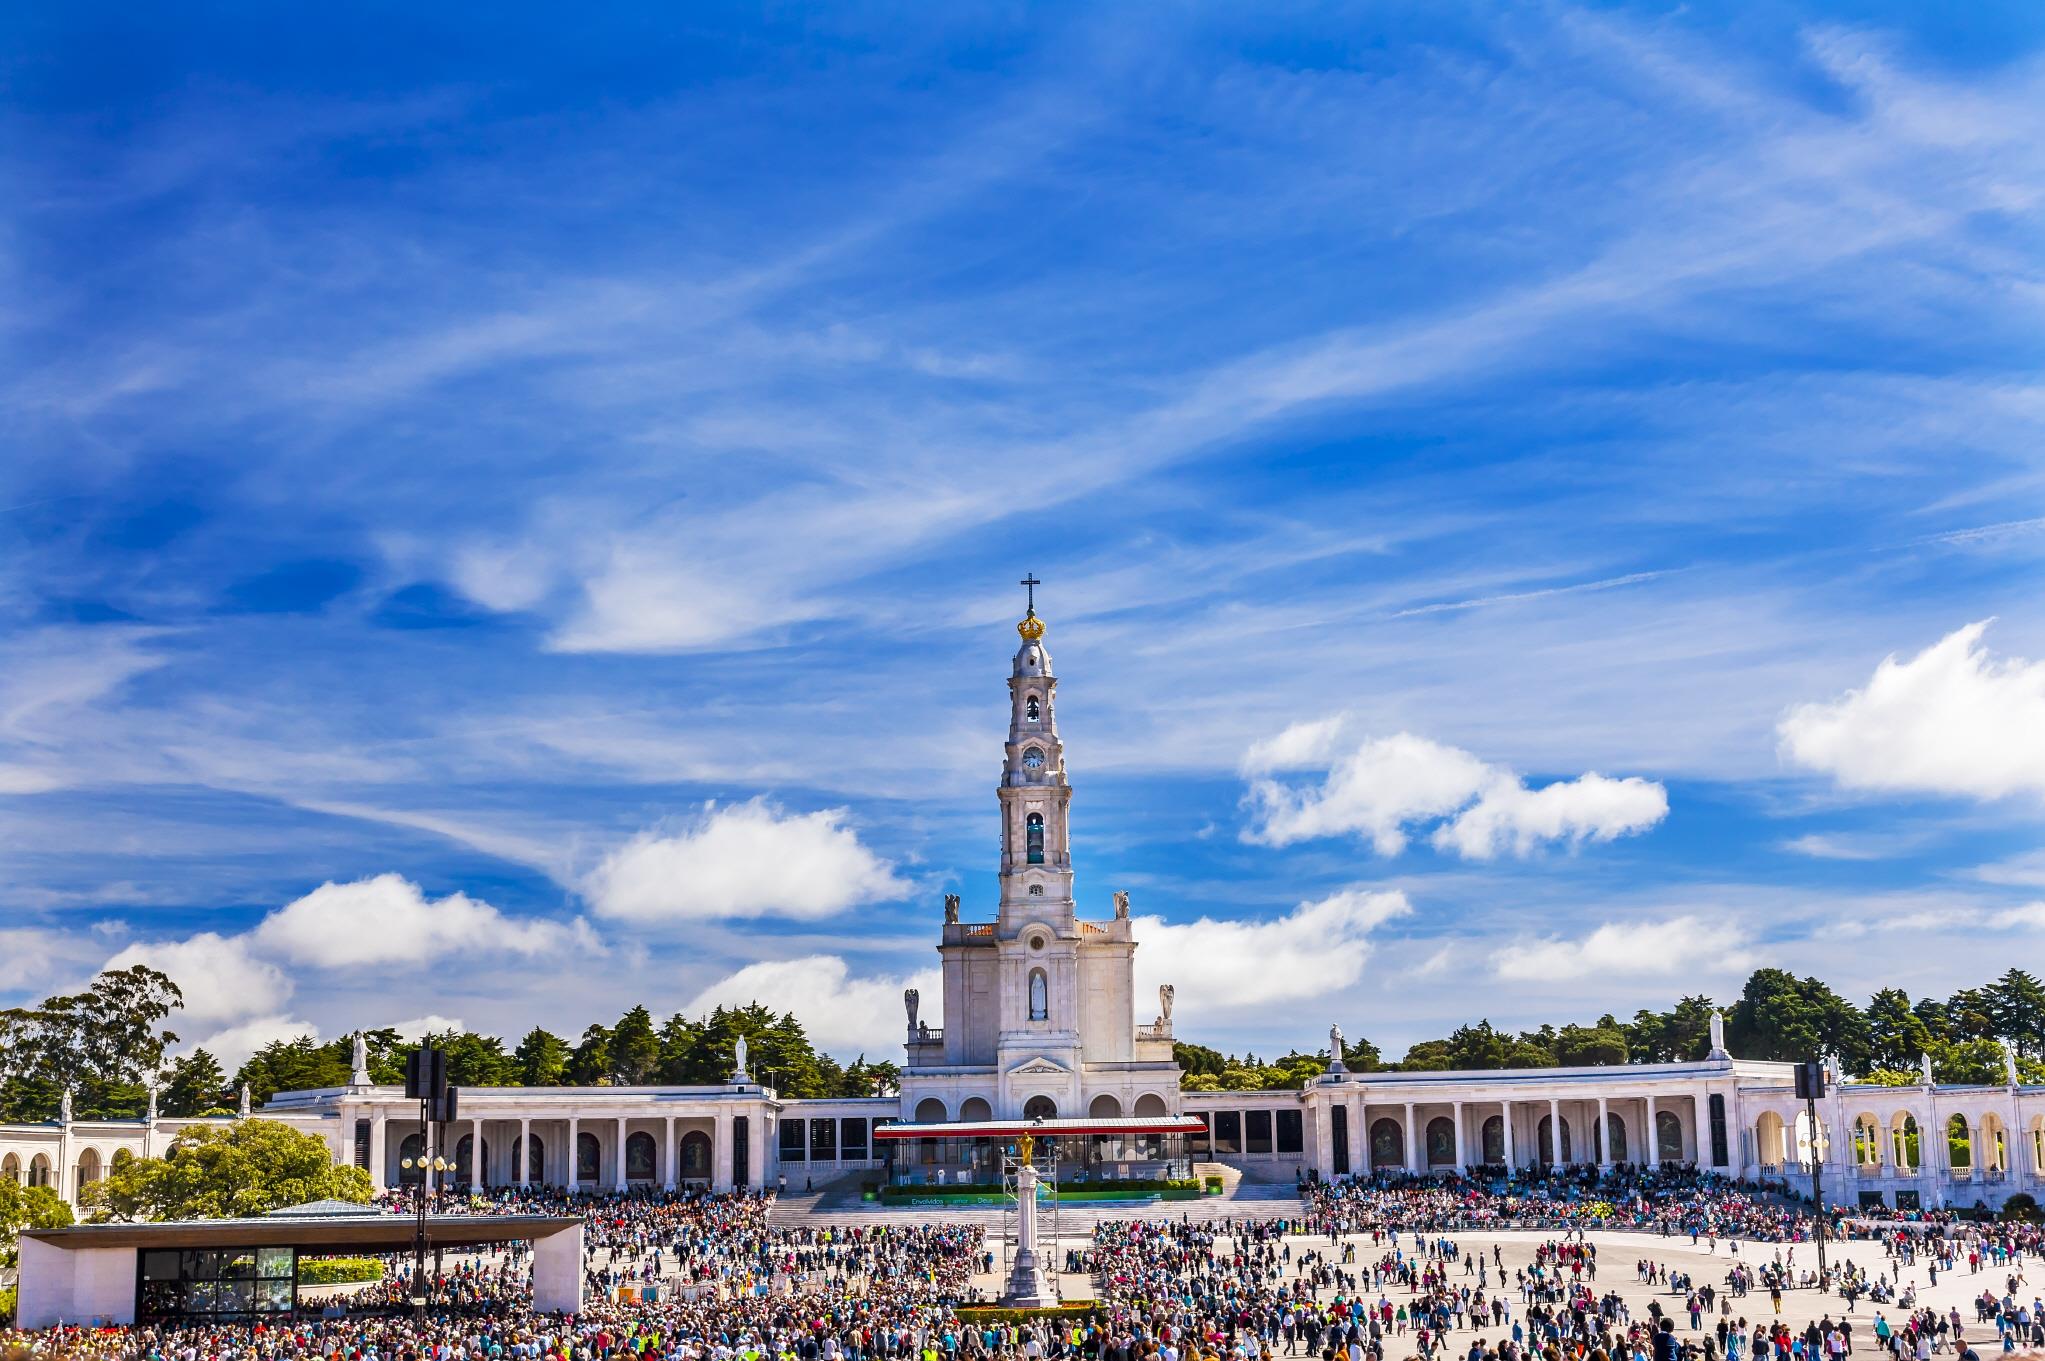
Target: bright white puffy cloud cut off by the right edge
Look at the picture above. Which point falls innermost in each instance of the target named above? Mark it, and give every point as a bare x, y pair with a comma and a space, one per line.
1952, 720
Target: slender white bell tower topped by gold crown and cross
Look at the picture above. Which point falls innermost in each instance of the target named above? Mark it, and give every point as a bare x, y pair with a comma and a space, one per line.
1036, 800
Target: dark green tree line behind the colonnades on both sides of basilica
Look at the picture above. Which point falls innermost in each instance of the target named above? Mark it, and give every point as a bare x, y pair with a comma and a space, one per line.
107, 1043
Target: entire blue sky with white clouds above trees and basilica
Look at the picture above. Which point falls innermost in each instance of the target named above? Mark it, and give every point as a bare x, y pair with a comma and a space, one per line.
502, 522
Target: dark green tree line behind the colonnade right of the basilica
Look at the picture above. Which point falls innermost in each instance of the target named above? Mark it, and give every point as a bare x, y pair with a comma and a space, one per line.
1776, 1017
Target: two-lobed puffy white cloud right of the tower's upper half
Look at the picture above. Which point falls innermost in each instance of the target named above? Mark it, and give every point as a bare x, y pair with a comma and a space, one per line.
1385, 786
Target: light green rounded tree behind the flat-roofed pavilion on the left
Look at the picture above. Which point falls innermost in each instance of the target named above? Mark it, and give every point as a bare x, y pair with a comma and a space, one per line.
226, 1172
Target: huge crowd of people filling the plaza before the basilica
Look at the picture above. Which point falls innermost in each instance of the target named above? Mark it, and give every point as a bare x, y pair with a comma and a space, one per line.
1365, 1270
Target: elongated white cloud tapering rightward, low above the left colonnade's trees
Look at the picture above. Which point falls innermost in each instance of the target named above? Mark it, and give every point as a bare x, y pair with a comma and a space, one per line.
388, 921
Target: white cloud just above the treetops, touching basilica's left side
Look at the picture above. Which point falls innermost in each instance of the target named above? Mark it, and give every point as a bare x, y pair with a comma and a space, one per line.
839, 1013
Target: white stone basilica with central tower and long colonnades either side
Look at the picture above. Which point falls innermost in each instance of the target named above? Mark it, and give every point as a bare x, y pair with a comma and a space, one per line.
1040, 1031
